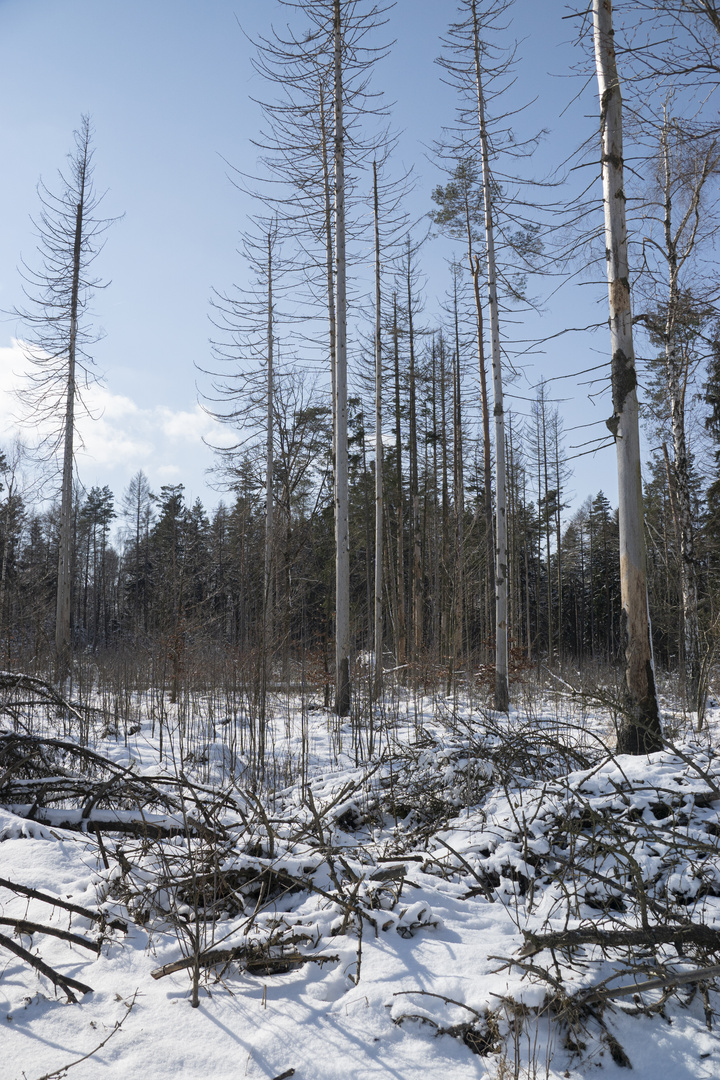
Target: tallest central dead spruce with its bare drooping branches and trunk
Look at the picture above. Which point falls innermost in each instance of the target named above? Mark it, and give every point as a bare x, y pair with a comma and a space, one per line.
315, 150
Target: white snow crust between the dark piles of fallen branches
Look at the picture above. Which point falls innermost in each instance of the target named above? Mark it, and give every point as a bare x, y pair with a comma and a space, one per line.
434, 960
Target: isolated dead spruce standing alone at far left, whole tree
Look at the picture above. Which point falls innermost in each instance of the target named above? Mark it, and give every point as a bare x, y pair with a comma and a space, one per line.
56, 336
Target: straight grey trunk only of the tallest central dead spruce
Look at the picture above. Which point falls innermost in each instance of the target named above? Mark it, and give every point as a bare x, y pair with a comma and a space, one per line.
342, 494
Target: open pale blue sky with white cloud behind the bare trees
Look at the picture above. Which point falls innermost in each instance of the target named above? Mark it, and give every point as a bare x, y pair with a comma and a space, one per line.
169, 89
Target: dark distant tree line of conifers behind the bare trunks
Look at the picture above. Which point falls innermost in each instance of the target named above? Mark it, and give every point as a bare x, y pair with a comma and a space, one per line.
154, 576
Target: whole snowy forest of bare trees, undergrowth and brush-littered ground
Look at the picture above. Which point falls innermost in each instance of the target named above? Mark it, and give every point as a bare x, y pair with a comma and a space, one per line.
402, 757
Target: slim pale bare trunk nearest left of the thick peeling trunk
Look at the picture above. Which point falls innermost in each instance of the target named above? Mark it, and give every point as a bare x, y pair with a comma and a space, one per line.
502, 690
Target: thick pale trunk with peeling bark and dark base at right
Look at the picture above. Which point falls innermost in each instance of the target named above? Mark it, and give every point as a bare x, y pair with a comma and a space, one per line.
641, 730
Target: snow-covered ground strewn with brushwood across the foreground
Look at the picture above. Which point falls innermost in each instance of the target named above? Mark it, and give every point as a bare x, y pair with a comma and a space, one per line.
387, 919
